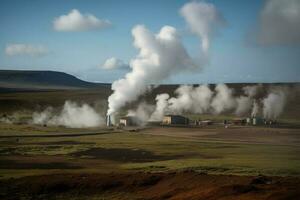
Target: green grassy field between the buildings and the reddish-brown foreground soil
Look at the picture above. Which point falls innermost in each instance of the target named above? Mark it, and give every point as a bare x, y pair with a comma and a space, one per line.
214, 150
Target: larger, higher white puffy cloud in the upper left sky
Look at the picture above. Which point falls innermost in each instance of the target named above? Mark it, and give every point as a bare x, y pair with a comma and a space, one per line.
75, 21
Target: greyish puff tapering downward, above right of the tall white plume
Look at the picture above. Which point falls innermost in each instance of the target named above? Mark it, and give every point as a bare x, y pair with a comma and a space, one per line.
203, 19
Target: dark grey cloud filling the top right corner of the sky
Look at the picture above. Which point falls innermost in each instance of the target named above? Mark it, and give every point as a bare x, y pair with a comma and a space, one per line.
279, 22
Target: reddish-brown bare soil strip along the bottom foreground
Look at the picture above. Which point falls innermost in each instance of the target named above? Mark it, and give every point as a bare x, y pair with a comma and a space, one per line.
187, 185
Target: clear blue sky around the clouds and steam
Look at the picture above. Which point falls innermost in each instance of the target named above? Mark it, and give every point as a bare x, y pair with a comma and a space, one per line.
234, 56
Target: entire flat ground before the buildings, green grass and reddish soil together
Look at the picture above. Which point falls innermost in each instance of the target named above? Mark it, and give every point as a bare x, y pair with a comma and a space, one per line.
209, 162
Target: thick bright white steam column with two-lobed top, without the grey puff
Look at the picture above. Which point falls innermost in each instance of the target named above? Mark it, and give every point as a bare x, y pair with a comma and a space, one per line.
160, 56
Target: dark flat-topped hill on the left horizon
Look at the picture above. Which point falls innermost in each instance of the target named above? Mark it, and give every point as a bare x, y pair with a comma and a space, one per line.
21, 79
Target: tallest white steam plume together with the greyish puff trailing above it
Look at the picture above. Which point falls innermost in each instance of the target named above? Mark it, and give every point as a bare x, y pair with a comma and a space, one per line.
163, 54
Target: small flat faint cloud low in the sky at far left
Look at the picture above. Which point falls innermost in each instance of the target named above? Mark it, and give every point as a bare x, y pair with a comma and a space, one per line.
25, 49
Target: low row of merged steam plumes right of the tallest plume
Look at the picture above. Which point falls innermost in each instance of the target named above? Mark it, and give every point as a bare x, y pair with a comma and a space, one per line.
201, 99
